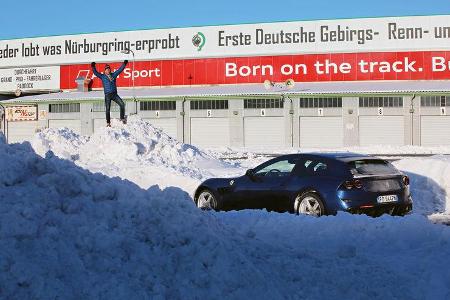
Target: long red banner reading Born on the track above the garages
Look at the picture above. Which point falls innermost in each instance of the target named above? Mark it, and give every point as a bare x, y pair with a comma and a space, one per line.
423, 65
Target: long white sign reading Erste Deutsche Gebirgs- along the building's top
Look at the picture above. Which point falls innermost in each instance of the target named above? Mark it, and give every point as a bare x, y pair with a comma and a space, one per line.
304, 37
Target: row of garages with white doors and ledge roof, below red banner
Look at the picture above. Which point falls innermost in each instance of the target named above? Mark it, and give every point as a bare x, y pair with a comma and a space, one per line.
249, 116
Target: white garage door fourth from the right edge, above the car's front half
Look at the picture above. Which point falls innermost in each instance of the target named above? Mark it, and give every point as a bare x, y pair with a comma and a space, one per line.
267, 132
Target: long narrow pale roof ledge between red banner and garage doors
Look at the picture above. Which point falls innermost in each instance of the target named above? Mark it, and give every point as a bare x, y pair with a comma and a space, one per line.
301, 88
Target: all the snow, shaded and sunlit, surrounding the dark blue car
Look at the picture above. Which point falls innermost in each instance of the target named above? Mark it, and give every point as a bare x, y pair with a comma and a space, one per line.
111, 217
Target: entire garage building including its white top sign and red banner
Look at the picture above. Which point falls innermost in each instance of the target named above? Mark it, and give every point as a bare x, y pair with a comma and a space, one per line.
331, 91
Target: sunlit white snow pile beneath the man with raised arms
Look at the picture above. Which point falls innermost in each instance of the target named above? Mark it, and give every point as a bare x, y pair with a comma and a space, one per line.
136, 151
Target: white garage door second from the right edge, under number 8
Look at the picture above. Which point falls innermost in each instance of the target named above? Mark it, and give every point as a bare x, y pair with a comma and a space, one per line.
381, 130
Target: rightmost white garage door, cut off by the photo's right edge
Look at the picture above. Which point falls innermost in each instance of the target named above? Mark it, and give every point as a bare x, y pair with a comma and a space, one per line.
435, 130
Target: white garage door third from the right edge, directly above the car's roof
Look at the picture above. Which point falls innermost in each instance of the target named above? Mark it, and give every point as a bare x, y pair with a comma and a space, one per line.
321, 132
